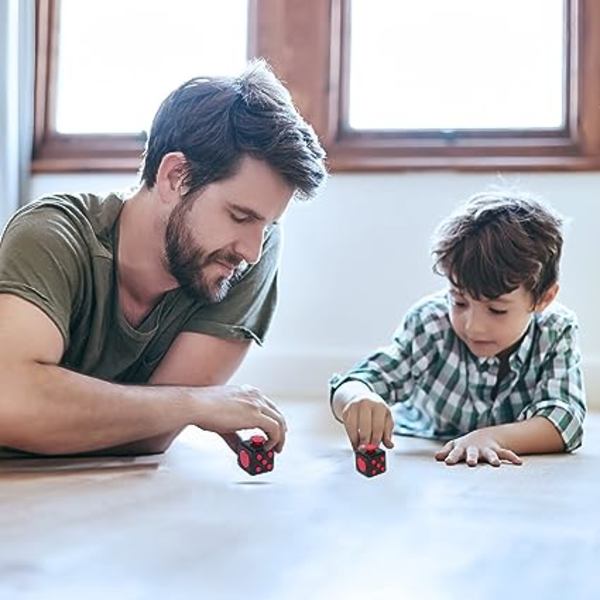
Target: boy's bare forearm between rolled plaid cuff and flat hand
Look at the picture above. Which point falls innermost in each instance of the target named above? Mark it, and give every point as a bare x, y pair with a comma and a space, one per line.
532, 436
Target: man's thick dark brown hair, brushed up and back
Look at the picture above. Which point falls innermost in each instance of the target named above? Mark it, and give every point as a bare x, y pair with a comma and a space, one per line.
215, 122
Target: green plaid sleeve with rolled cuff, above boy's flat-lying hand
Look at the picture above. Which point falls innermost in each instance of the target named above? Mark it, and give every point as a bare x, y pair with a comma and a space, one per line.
560, 394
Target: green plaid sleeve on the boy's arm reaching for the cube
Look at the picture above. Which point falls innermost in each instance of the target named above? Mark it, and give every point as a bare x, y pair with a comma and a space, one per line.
388, 371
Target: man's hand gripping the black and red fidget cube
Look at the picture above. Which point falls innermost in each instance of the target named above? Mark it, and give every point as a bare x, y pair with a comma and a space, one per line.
227, 409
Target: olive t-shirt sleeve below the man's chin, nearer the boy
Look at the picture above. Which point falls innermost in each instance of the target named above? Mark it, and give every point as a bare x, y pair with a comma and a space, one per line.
247, 311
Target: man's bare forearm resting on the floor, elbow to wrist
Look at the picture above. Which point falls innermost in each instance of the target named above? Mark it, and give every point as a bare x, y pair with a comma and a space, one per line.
49, 410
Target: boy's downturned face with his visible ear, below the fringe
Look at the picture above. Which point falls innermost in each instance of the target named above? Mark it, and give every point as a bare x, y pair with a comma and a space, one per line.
489, 327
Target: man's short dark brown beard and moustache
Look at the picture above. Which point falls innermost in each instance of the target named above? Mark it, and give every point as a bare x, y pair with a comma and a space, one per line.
187, 261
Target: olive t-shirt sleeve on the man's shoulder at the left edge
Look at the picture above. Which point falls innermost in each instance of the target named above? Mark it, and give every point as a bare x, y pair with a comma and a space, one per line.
40, 262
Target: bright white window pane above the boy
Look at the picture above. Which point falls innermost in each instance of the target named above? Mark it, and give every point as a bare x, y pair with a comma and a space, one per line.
459, 64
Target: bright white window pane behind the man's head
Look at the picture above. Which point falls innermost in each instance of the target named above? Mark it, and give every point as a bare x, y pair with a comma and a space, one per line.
117, 59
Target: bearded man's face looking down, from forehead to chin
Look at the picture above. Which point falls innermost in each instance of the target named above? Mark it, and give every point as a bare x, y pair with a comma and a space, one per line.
211, 239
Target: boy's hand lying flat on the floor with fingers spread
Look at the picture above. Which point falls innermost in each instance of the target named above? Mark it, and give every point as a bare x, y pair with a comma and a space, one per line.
477, 446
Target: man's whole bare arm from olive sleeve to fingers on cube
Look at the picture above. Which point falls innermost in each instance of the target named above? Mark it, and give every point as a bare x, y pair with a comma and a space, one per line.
50, 410
